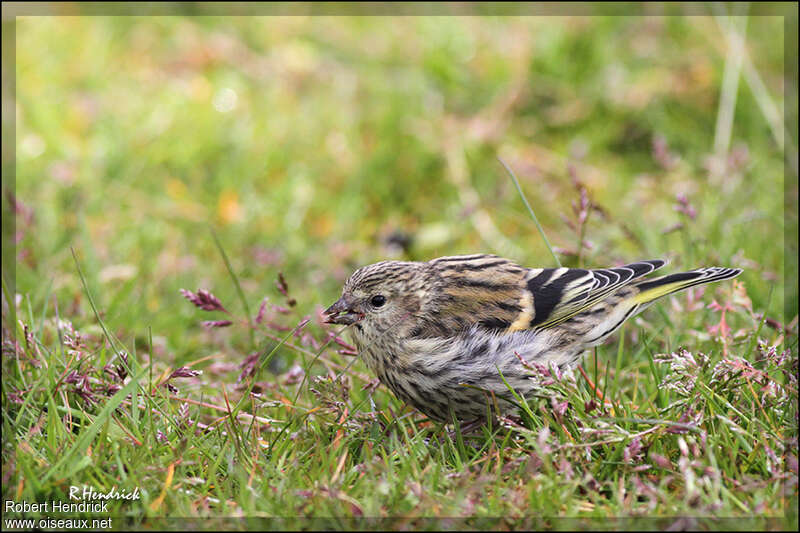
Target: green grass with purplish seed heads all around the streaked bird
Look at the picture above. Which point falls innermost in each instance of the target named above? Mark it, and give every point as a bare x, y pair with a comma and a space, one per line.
215, 153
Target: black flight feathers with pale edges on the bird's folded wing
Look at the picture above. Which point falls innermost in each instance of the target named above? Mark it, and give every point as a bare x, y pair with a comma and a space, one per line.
561, 293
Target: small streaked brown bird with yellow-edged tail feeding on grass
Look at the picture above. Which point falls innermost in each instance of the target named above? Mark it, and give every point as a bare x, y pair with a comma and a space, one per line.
450, 336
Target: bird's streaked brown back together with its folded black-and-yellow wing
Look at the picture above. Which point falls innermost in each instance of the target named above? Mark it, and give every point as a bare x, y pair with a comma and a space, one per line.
496, 294
